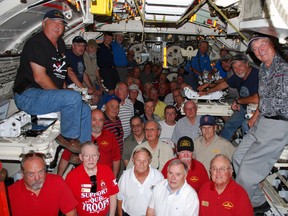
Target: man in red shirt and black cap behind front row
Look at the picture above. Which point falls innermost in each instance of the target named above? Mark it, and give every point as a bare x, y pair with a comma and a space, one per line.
197, 174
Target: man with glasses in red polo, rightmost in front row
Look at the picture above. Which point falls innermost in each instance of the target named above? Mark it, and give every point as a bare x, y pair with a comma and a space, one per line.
222, 195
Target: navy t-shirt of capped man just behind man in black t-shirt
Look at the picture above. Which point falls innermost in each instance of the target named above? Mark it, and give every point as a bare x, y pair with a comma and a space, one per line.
77, 64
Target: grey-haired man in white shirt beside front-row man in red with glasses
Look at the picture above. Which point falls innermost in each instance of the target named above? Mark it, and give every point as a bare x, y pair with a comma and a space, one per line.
173, 196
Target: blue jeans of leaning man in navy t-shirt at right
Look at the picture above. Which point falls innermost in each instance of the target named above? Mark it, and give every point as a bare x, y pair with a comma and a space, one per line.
233, 123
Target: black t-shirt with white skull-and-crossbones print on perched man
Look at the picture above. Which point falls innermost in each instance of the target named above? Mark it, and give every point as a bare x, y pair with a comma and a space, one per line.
40, 50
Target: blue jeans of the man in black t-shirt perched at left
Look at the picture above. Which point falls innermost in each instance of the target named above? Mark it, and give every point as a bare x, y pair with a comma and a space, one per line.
74, 113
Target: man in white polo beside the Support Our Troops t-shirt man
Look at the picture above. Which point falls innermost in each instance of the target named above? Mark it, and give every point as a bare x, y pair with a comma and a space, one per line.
136, 183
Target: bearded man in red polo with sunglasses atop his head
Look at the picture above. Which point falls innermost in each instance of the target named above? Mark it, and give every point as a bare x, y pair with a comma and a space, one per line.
39, 193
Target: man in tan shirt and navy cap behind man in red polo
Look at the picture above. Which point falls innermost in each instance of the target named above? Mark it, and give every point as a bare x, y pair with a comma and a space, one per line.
209, 143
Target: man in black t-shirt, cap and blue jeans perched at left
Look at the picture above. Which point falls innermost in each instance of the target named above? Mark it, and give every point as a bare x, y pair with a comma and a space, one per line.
40, 80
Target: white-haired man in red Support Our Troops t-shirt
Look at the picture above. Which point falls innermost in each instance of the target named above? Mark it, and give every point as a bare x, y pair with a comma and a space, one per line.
93, 184
